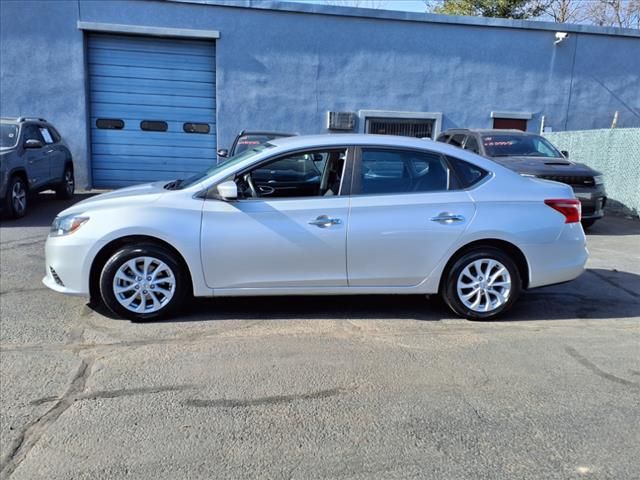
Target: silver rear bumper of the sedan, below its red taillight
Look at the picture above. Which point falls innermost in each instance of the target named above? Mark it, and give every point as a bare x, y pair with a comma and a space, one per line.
560, 261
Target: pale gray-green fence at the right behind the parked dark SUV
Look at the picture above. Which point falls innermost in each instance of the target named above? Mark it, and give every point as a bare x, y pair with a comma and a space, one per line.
615, 153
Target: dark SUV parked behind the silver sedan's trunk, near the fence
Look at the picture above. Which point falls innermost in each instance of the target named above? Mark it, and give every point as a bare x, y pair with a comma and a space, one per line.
531, 154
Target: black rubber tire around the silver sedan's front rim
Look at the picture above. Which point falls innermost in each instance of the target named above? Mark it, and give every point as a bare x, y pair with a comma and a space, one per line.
143, 292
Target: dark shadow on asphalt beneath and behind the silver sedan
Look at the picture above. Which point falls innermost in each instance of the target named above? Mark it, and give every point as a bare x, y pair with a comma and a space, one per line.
615, 296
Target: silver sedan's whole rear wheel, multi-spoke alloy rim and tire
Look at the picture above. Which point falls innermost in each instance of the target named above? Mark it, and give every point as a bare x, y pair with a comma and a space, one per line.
482, 284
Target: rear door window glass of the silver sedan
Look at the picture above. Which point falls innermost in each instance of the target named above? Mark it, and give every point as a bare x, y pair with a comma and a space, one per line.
400, 171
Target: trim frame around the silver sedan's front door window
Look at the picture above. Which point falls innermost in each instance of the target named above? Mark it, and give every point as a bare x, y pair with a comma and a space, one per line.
345, 182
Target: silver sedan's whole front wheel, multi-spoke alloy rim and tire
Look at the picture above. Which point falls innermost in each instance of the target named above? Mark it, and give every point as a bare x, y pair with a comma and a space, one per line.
143, 282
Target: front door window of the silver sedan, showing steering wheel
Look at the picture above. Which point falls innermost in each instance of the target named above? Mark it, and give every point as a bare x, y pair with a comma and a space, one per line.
306, 174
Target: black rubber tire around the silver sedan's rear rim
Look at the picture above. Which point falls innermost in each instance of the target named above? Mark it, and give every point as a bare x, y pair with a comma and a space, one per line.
449, 290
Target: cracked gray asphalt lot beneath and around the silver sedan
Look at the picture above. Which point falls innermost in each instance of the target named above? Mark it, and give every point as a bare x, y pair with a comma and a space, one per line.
323, 387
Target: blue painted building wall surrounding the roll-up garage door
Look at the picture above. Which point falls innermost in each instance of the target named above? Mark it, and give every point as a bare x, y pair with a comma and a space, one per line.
283, 66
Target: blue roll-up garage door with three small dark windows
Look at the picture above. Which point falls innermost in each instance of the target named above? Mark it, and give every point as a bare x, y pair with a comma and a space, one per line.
137, 78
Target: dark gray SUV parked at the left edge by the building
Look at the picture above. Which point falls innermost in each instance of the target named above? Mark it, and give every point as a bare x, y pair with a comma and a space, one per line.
33, 158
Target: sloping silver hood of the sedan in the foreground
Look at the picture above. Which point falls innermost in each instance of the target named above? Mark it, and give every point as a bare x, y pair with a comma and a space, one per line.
124, 197
